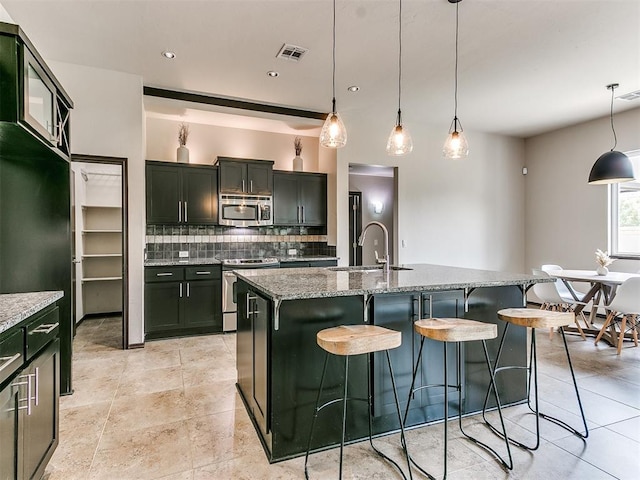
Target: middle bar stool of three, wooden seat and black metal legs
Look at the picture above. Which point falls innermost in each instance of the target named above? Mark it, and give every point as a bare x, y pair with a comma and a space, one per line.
456, 330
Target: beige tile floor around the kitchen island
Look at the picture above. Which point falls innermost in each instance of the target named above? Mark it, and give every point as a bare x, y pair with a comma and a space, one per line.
171, 411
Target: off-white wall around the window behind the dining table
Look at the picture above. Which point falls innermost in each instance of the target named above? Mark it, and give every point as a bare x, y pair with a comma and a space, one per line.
566, 218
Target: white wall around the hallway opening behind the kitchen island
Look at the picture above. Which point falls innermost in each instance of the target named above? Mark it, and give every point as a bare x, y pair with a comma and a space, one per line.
466, 213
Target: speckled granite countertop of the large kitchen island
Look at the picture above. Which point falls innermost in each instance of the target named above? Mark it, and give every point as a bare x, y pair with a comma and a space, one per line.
316, 282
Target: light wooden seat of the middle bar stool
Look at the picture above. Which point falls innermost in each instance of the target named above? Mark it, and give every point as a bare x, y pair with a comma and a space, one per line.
455, 329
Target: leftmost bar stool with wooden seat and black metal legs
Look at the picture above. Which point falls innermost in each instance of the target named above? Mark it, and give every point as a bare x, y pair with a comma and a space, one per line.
346, 341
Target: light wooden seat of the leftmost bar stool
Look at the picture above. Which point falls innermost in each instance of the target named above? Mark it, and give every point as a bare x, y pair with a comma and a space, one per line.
357, 339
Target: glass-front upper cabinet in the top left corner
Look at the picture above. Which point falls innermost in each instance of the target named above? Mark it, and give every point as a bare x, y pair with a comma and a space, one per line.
30, 95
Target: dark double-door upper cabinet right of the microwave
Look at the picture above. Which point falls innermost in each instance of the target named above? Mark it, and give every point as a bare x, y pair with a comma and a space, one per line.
300, 199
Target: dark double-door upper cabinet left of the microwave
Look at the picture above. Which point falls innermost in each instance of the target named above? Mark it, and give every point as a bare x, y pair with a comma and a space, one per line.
181, 194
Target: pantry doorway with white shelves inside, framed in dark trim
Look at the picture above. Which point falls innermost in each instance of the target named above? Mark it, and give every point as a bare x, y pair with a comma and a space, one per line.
99, 210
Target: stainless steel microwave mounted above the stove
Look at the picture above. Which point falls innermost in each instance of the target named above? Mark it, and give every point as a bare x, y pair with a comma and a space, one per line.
245, 210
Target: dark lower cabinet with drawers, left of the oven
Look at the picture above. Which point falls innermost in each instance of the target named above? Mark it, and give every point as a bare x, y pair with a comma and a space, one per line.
182, 300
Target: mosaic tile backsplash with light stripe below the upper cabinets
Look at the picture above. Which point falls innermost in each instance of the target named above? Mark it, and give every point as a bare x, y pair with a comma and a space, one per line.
164, 242
